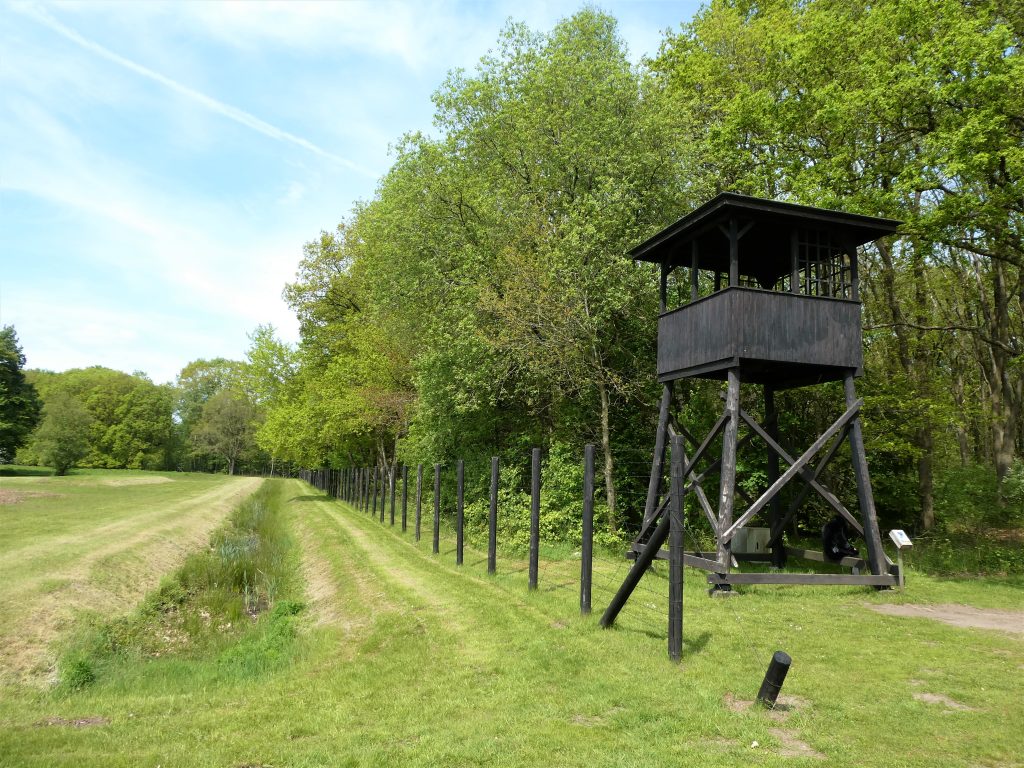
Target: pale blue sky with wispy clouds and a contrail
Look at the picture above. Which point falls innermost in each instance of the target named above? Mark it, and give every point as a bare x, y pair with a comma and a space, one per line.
163, 164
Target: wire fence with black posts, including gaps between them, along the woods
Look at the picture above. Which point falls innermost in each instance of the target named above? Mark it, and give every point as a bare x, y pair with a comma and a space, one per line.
447, 509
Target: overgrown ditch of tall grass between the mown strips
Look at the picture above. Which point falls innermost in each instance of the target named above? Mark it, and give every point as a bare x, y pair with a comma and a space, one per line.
228, 603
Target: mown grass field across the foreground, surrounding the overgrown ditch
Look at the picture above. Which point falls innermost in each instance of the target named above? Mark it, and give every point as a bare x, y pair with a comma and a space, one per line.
406, 660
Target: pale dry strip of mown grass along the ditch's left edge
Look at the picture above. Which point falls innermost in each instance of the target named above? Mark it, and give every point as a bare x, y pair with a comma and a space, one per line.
107, 570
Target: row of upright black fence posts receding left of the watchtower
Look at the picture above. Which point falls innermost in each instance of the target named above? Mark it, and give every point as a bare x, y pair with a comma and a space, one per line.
363, 487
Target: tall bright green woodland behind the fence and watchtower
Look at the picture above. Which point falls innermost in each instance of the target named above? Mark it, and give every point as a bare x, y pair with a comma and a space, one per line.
482, 302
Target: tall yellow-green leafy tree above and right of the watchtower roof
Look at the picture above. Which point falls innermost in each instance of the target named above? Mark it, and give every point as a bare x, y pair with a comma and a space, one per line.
921, 120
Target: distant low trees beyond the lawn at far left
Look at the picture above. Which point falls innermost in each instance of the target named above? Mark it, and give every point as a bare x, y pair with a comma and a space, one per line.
101, 418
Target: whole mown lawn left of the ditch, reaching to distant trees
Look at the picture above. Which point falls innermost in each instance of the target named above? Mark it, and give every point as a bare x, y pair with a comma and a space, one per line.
93, 543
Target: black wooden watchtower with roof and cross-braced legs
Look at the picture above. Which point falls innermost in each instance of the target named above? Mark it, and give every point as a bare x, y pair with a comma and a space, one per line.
773, 302
